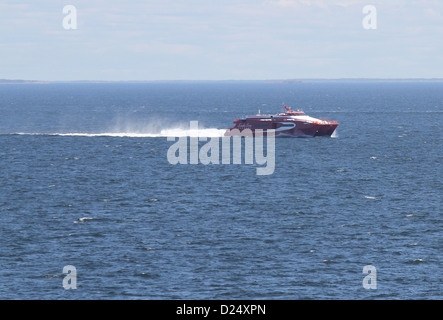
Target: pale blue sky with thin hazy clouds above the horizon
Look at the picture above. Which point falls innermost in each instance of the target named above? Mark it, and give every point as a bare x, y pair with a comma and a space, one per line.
220, 39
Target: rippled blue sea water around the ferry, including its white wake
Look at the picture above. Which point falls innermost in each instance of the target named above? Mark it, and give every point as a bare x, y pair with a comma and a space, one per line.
86, 182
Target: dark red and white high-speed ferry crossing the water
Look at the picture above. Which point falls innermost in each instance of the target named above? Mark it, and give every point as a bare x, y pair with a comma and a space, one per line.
289, 123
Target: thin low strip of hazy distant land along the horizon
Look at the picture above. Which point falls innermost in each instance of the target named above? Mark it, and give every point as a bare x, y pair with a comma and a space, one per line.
20, 81
